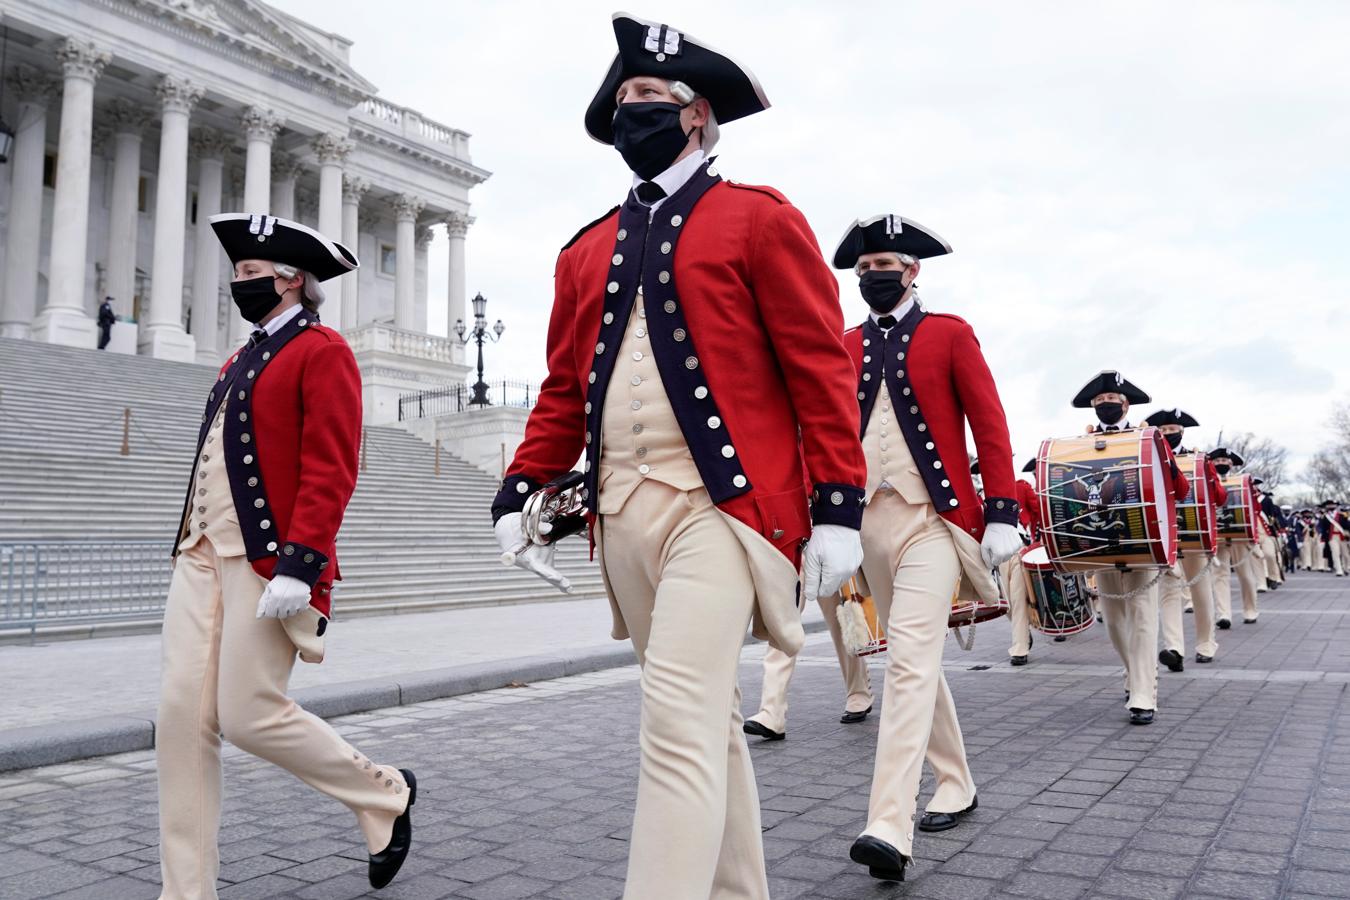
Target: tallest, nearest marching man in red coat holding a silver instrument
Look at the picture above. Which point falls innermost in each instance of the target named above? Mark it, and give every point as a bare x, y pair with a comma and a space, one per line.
696, 360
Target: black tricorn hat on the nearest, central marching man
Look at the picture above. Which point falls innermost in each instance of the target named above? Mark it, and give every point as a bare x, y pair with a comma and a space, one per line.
659, 51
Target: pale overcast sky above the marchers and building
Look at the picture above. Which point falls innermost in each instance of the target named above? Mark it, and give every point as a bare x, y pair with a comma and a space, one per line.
1160, 188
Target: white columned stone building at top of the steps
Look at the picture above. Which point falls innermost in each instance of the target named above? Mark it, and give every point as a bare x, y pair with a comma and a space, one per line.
130, 123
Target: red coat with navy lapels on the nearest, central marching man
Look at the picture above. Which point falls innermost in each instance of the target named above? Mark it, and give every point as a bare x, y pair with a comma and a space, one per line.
745, 325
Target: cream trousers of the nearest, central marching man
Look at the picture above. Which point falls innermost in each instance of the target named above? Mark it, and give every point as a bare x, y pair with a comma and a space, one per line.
684, 586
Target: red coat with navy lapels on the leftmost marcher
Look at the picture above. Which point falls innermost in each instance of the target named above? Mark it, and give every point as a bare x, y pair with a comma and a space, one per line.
292, 441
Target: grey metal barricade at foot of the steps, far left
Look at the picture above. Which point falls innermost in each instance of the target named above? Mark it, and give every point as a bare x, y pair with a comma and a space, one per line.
49, 584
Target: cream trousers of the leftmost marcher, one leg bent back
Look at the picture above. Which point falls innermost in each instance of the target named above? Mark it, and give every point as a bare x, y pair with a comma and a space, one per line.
226, 673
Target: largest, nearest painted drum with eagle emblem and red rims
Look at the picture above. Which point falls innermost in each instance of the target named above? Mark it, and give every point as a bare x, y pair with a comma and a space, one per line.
1105, 501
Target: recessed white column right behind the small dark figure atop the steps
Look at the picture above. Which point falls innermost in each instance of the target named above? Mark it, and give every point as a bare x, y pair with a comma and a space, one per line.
128, 121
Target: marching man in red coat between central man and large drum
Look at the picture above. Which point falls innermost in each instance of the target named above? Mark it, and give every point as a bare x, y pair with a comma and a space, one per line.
921, 377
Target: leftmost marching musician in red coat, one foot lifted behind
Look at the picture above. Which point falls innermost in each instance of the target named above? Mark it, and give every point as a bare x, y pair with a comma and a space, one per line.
254, 563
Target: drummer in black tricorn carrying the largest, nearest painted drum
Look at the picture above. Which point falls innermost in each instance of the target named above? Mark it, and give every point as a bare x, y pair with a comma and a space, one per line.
1129, 600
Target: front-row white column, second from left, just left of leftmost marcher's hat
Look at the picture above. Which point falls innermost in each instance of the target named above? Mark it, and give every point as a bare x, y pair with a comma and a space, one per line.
164, 337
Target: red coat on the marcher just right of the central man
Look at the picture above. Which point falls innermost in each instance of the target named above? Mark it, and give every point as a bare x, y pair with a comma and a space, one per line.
939, 380
